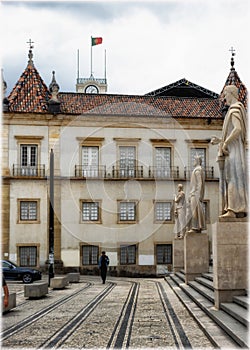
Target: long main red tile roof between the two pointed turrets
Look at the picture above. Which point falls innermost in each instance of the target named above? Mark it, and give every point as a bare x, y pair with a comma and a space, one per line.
104, 104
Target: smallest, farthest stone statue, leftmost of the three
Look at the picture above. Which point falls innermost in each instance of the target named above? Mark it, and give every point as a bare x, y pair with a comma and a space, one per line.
180, 213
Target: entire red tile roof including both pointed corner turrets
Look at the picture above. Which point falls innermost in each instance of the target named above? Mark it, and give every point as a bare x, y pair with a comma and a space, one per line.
31, 95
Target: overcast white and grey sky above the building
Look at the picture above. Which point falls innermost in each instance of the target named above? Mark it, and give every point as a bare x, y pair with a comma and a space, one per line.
149, 44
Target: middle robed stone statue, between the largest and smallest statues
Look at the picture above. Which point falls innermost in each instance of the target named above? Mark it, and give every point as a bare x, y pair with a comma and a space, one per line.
196, 197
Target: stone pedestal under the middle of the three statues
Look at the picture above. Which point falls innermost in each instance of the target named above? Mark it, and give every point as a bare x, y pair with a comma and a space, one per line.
196, 255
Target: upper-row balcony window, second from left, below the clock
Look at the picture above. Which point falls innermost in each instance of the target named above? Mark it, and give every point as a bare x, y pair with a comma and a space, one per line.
90, 161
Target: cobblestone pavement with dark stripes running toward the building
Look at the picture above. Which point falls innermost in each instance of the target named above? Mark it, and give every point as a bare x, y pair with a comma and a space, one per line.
125, 312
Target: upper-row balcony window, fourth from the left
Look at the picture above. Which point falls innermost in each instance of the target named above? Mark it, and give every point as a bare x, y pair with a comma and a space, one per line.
162, 161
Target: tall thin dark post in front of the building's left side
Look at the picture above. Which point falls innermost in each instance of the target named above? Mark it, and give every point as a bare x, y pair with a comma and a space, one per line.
51, 217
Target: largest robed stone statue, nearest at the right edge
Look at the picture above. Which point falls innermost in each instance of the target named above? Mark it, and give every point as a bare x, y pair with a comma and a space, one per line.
232, 152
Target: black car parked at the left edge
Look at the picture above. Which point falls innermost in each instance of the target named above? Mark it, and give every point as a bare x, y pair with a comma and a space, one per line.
13, 272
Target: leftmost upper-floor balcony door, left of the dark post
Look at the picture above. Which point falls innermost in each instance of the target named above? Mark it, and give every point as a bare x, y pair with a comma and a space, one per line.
28, 159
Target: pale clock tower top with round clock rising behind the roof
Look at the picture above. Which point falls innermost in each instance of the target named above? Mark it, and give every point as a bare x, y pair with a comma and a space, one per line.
91, 85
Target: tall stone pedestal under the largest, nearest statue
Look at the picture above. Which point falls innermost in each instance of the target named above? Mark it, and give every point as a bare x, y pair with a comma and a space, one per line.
230, 259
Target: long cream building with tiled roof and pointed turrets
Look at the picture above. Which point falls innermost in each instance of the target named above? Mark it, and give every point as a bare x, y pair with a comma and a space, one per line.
118, 160
